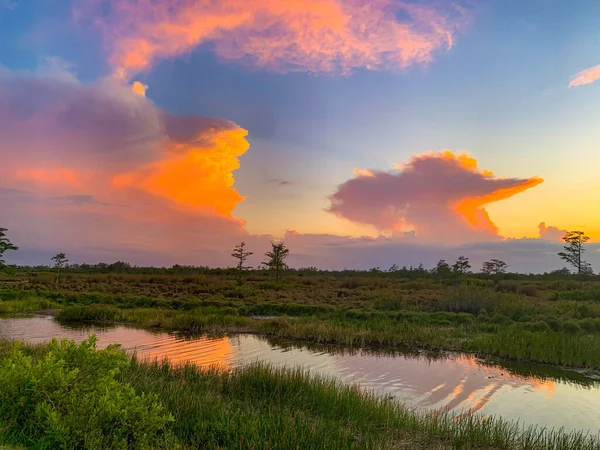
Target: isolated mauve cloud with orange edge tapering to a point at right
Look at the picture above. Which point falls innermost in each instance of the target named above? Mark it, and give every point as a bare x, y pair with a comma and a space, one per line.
439, 195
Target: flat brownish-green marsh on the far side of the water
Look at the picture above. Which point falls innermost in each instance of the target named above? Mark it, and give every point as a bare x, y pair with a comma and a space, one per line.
547, 321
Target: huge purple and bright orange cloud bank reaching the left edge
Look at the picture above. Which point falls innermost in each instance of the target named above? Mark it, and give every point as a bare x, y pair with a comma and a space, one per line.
101, 163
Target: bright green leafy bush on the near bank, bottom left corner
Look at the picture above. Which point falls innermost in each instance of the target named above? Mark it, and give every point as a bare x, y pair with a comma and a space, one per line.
70, 398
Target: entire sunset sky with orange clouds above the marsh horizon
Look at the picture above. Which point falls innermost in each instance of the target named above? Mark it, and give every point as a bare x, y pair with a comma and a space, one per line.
363, 133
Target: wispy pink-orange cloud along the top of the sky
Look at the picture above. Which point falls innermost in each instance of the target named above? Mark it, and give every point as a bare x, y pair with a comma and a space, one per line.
279, 35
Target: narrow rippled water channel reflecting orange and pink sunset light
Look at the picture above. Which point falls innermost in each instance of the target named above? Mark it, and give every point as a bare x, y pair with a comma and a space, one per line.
456, 382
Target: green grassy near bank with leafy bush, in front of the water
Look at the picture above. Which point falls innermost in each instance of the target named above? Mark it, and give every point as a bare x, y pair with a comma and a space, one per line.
62, 395
